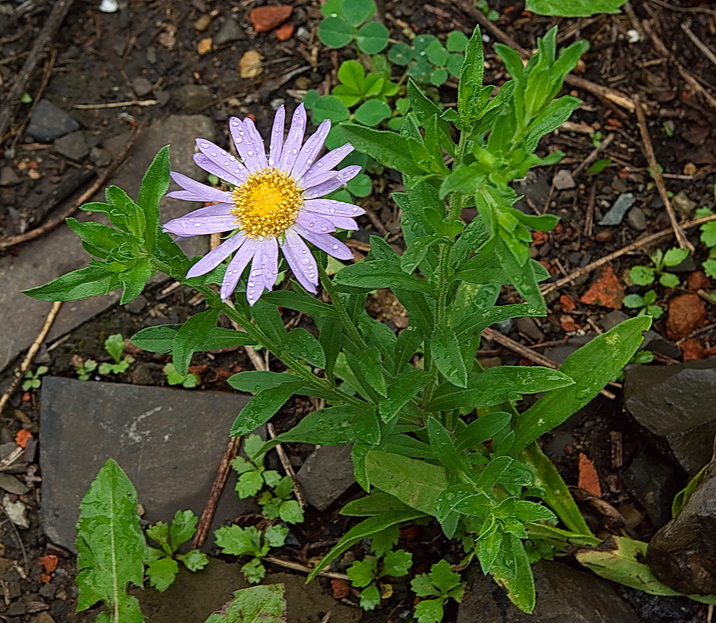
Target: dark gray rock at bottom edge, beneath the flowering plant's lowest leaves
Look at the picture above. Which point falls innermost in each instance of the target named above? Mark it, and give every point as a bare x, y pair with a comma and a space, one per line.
564, 595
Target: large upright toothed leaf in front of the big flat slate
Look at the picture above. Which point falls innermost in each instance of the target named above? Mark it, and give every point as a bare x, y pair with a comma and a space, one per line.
110, 545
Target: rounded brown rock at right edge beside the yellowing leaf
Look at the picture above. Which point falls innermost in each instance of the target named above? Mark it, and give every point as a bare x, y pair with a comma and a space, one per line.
683, 553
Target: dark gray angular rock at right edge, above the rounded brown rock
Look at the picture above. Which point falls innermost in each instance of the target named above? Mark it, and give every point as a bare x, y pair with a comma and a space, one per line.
676, 402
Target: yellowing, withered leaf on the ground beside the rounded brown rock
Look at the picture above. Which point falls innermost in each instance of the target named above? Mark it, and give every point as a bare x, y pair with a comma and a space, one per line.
620, 559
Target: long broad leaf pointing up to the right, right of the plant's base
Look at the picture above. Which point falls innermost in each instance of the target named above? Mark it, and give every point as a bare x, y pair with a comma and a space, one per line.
592, 367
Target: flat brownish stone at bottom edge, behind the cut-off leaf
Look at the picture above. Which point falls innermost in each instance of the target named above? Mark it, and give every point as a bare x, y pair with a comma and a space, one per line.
194, 596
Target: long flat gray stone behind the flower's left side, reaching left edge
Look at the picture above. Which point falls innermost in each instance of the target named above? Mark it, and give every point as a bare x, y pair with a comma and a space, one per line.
61, 251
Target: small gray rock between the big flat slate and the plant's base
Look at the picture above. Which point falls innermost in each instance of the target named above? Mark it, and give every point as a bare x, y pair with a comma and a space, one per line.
326, 474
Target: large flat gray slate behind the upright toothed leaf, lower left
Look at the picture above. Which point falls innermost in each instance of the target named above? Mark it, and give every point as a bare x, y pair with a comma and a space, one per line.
168, 441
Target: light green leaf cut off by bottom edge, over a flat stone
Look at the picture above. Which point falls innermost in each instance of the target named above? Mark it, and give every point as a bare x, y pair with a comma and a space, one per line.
256, 604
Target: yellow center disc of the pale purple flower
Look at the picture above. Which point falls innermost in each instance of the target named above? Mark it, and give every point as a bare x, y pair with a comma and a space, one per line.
267, 203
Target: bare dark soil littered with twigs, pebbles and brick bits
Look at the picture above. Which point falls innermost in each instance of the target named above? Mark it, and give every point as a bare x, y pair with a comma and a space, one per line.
97, 59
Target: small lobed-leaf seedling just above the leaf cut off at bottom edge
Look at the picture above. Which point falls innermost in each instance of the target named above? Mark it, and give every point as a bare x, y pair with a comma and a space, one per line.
237, 541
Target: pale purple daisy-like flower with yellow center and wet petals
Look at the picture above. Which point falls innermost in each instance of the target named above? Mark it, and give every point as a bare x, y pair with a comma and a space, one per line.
275, 203
